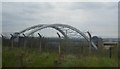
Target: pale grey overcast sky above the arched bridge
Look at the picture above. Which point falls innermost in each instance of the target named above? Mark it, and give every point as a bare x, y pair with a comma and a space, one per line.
100, 18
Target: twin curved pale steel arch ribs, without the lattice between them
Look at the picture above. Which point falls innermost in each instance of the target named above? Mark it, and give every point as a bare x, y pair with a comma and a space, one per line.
56, 26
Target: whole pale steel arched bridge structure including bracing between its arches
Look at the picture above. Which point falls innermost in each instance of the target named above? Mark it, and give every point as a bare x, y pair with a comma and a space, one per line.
66, 30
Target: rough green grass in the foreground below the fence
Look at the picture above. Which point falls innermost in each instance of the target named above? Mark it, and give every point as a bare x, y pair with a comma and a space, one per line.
18, 57
